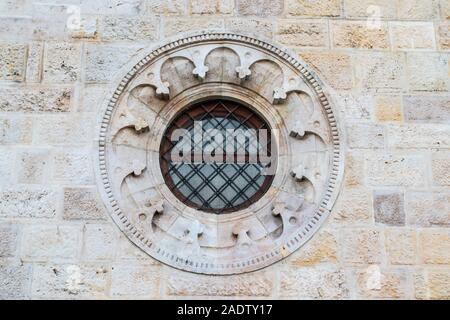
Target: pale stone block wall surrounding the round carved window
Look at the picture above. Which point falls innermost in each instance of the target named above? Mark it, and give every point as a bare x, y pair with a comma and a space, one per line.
387, 65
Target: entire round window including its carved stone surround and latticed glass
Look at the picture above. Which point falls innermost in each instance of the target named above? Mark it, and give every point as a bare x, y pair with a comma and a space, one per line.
207, 215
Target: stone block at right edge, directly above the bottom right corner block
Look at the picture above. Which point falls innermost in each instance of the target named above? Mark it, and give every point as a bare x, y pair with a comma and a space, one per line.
434, 245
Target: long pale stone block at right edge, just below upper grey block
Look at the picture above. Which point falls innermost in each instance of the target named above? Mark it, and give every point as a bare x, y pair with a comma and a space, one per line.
418, 135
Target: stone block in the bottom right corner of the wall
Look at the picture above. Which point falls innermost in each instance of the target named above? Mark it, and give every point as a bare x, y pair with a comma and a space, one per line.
432, 284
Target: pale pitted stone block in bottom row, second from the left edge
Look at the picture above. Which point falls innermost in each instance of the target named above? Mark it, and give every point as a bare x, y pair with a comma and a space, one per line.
70, 281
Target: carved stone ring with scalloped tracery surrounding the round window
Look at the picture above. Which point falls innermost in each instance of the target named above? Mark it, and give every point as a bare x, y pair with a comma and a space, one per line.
160, 84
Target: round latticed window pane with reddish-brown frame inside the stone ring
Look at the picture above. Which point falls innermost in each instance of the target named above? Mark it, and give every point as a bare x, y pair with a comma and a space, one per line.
216, 186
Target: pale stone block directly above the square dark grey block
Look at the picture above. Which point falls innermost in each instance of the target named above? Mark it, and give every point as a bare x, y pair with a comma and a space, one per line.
395, 170
